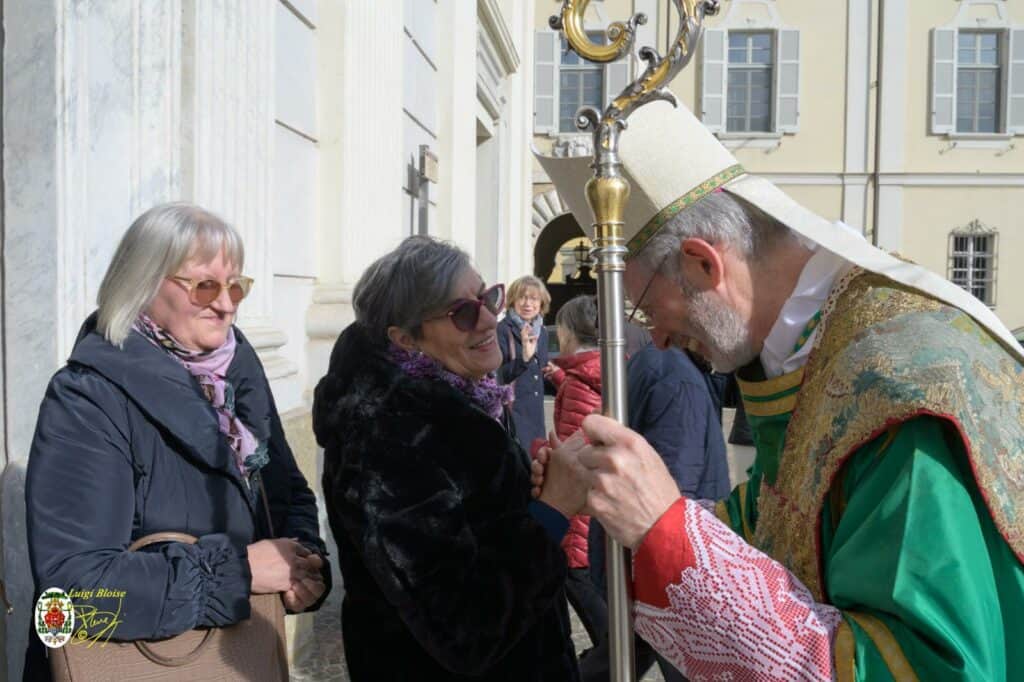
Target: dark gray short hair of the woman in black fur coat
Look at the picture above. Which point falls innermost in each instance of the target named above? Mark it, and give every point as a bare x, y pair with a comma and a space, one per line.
405, 287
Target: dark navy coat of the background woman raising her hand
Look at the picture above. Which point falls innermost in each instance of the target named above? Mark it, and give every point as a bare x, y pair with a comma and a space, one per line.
528, 411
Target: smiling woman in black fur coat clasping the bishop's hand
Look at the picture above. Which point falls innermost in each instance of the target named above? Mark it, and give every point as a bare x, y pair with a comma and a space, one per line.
451, 573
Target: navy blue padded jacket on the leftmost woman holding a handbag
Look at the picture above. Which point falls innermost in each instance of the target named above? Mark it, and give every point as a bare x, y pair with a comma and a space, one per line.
126, 445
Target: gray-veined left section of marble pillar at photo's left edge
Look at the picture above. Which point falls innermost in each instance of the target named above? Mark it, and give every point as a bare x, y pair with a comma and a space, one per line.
92, 139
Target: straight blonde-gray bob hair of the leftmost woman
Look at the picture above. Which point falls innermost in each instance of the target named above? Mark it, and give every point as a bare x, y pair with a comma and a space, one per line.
156, 246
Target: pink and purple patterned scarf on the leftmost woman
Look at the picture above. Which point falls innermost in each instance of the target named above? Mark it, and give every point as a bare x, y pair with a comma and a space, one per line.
210, 370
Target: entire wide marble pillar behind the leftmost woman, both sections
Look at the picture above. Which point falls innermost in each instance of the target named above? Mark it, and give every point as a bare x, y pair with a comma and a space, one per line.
109, 109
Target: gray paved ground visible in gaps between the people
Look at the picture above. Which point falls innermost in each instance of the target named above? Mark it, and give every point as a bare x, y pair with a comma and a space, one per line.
325, 659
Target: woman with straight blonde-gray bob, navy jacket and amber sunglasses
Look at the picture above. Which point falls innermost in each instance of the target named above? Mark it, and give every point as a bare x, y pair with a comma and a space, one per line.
163, 420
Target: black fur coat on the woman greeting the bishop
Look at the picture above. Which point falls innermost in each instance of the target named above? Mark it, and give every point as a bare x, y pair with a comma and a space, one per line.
447, 575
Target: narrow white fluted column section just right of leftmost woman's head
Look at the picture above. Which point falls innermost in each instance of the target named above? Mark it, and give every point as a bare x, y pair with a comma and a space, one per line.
228, 138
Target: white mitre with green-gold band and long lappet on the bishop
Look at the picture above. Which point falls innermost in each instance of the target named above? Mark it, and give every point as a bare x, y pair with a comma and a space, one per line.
672, 161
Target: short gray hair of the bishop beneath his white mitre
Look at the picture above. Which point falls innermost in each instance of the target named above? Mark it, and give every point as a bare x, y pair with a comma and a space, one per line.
721, 218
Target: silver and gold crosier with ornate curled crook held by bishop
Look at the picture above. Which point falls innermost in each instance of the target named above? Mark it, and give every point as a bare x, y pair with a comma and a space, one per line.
608, 194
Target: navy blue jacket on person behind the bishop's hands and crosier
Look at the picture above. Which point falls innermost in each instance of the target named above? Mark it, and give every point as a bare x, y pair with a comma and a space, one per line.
671, 406
